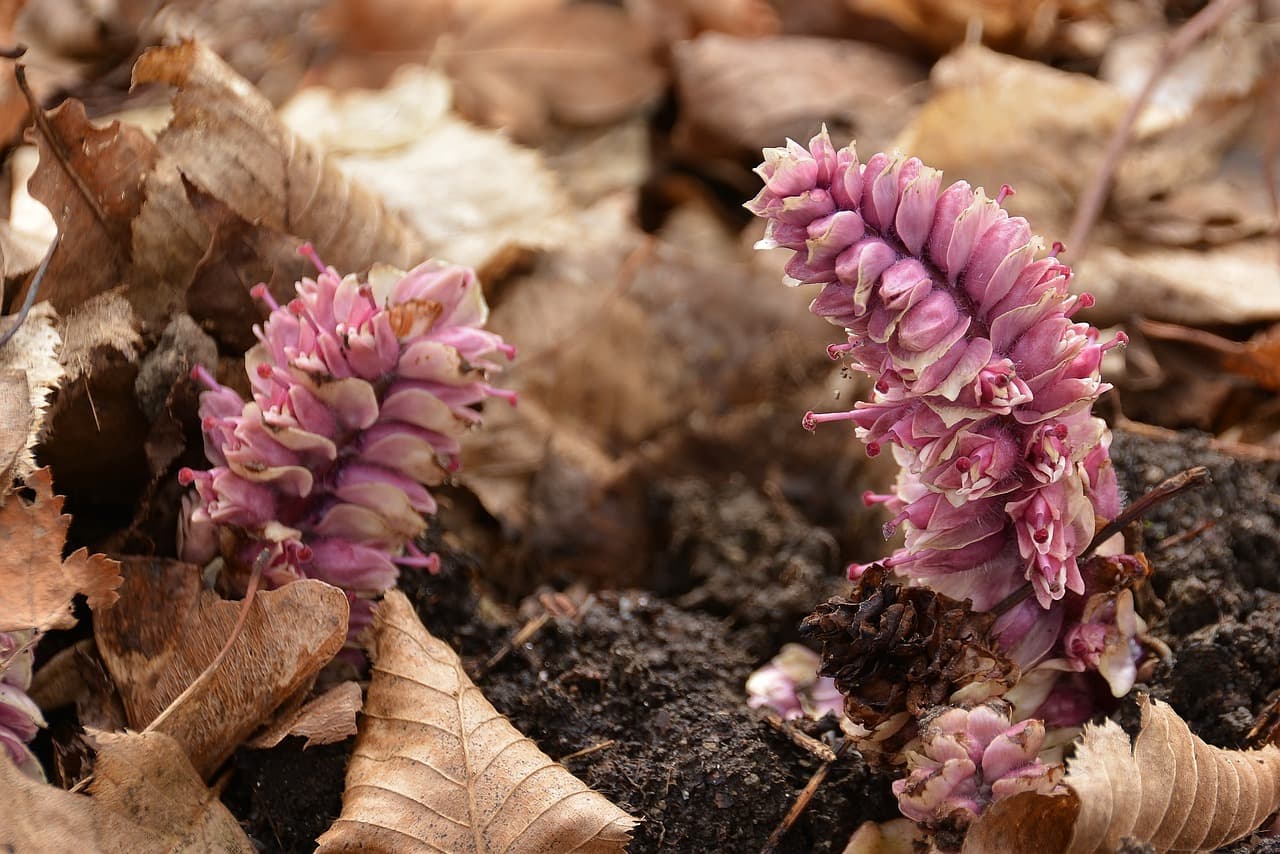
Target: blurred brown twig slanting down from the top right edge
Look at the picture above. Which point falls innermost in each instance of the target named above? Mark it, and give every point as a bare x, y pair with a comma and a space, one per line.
1205, 22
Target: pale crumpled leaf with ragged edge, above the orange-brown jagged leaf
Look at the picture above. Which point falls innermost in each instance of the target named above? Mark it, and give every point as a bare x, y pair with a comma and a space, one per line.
29, 373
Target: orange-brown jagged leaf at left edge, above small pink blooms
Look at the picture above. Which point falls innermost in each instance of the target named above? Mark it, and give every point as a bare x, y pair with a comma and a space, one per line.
39, 584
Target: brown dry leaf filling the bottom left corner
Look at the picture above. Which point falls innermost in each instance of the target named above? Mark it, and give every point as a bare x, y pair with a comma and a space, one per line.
145, 798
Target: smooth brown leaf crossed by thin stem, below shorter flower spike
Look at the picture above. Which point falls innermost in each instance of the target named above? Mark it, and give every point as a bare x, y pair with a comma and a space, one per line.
166, 631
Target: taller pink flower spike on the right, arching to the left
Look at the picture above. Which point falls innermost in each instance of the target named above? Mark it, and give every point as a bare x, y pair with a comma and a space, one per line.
982, 391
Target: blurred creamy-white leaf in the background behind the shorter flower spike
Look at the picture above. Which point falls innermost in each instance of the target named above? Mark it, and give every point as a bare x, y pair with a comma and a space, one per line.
470, 193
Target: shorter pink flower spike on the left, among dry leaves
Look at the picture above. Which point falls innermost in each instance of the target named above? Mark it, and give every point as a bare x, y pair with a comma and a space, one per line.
362, 392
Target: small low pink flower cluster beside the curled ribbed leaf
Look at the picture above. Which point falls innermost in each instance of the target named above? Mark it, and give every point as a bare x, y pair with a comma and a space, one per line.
971, 759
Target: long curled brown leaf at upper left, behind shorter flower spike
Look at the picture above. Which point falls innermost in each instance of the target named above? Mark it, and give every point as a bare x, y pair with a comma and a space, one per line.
226, 138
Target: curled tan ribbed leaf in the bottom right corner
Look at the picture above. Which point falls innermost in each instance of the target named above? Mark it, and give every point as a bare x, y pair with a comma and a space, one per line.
1168, 788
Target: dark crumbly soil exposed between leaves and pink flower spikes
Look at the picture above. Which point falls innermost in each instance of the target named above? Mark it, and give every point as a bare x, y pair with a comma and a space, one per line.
651, 687
